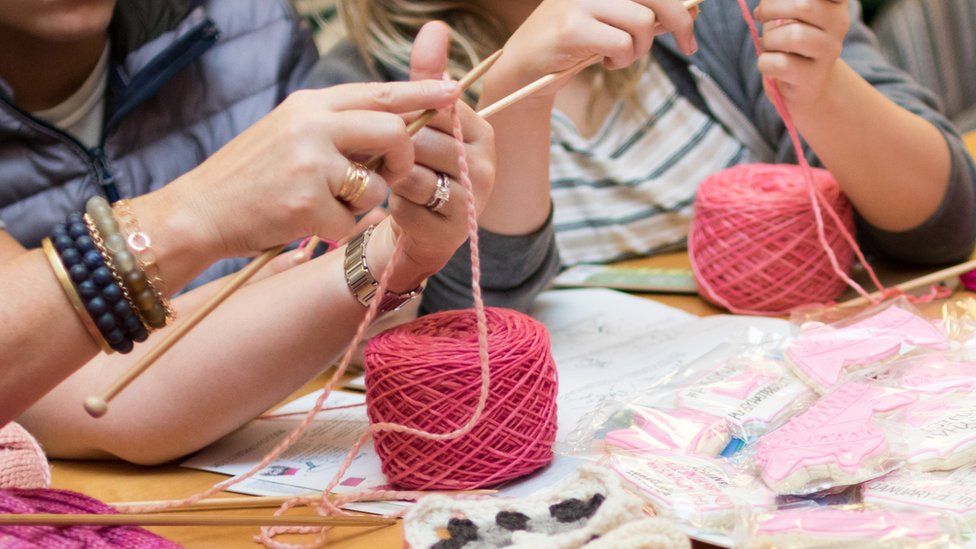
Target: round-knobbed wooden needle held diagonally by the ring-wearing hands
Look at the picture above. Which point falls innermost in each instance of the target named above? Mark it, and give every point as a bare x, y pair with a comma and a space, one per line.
97, 406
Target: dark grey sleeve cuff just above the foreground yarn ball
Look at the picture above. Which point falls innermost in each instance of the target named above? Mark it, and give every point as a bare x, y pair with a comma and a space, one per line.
514, 269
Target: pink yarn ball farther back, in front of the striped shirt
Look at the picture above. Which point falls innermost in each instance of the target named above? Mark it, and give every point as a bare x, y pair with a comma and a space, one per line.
753, 243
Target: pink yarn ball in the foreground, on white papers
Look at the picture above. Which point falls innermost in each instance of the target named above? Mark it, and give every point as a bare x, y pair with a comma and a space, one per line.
426, 374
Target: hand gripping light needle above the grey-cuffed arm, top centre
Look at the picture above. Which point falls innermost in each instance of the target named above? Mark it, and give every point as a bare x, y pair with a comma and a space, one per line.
563, 33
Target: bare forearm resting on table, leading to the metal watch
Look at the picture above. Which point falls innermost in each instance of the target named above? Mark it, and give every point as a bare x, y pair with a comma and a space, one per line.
249, 354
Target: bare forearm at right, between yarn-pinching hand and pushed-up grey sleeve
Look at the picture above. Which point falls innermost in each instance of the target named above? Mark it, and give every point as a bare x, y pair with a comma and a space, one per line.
892, 164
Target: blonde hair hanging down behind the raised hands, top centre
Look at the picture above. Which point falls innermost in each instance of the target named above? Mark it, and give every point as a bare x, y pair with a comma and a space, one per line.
383, 32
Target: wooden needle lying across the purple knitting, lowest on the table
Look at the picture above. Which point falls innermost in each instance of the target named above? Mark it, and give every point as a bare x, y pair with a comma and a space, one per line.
191, 520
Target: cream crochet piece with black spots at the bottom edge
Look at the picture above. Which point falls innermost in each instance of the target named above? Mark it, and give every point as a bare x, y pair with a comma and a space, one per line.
590, 509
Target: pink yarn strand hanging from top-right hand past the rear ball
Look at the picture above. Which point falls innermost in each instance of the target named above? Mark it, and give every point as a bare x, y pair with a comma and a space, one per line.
780, 105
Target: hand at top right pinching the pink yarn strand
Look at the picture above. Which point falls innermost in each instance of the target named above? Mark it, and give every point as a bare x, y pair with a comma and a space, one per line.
802, 40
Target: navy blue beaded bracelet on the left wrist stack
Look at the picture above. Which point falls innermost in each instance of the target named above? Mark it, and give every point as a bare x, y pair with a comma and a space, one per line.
102, 297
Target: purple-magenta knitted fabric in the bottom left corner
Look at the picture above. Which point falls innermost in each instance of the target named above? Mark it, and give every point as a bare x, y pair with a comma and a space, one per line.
69, 537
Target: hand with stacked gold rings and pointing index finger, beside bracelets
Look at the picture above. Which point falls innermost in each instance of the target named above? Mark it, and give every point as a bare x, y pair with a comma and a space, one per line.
278, 180
